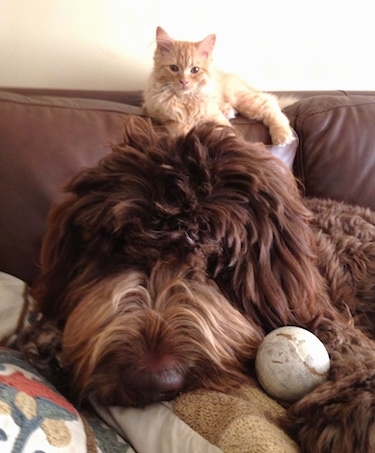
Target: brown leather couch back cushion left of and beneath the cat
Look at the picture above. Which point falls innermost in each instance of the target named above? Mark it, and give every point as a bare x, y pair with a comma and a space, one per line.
46, 140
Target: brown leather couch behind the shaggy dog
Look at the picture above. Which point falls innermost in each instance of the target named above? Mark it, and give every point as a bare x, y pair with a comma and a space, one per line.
46, 136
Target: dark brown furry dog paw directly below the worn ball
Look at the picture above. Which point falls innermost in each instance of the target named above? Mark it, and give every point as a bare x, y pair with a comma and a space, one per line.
337, 418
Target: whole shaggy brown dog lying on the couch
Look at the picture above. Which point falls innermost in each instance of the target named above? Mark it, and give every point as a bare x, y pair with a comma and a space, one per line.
165, 266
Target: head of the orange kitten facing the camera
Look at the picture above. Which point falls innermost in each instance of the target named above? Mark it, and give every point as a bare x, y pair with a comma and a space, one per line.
182, 66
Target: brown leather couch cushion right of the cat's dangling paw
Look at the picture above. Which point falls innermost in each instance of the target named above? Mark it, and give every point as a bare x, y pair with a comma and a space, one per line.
336, 154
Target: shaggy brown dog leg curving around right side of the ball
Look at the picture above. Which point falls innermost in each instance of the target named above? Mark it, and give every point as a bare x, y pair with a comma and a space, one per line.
339, 416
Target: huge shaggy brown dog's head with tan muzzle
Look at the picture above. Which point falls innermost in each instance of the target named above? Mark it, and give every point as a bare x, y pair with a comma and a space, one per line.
168, 261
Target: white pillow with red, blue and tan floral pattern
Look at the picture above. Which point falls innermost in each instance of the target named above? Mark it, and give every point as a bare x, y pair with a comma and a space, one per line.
34, 417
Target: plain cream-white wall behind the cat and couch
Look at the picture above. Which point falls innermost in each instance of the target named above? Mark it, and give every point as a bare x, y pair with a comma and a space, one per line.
108, 44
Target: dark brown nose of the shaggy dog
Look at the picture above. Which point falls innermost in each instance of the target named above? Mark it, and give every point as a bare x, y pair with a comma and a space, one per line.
150, 386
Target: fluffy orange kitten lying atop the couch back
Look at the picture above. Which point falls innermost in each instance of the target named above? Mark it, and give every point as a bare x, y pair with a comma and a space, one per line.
185, 89
